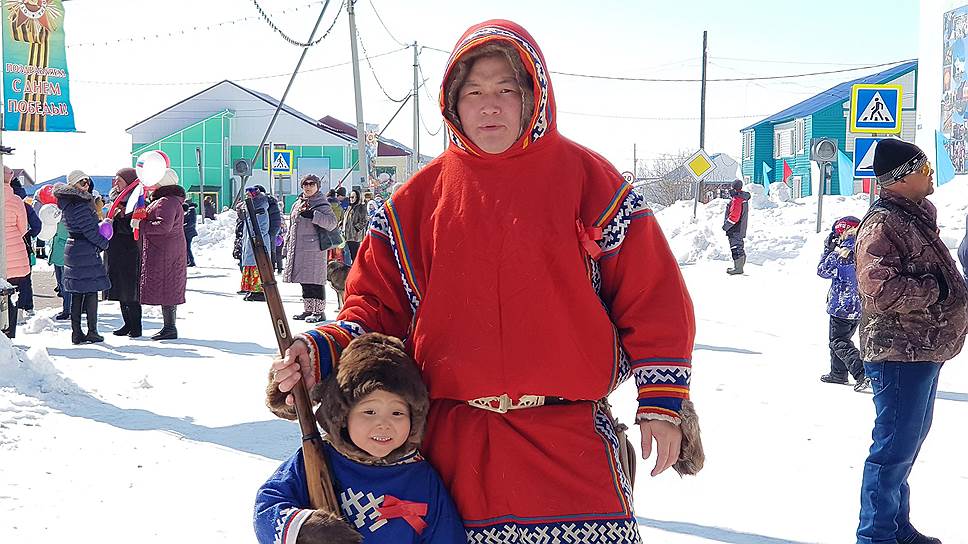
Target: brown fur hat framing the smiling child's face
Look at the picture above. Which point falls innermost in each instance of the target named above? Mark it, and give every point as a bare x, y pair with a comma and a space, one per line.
369, 363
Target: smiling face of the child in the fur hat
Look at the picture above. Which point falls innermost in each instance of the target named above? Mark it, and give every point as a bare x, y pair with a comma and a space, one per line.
379, 423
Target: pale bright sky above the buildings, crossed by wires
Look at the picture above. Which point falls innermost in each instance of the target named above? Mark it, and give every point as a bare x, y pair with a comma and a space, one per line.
610, 37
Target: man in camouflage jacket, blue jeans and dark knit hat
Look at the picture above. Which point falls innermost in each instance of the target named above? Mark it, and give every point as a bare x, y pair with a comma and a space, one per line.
914, 316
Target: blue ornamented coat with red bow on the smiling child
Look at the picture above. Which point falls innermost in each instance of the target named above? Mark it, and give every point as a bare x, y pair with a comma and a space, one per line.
409, 494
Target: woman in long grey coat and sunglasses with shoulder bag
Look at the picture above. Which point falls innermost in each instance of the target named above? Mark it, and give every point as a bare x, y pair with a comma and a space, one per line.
305, 261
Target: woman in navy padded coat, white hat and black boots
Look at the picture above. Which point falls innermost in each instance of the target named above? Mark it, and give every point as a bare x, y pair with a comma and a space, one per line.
84, 273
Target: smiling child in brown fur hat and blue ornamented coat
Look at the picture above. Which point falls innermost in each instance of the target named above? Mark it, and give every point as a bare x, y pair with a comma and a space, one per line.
372, 410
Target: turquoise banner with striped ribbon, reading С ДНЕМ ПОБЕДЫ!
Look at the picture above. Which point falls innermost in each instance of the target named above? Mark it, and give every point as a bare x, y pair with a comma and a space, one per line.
36, 90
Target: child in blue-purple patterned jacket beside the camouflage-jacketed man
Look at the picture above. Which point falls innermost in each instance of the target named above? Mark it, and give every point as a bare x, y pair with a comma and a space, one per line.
843, 303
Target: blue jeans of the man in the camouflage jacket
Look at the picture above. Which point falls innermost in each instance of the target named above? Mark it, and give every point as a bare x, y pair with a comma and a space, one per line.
904, 401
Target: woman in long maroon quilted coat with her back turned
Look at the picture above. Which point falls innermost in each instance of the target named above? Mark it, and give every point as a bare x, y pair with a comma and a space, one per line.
163, 265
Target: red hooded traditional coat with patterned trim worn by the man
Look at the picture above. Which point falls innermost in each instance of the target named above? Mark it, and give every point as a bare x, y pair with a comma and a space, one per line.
537, 271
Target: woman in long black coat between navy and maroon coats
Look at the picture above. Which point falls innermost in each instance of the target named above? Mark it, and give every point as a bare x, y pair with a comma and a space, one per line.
124, 259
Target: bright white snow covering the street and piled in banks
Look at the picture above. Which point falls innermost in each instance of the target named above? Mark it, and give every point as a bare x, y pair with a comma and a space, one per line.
140, 441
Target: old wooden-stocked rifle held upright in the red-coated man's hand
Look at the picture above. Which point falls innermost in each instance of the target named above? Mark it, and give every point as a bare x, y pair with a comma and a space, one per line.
322, 495
